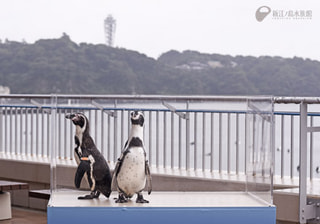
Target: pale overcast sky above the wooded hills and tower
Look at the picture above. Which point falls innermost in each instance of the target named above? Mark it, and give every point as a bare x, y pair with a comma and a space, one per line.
153, 27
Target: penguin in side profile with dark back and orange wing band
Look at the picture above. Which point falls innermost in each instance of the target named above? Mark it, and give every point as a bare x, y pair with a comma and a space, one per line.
89, 159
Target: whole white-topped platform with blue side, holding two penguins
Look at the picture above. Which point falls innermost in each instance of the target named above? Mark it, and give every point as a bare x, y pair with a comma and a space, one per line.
164, 208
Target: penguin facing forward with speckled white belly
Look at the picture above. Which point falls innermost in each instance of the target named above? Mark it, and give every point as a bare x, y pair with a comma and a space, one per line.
132, 170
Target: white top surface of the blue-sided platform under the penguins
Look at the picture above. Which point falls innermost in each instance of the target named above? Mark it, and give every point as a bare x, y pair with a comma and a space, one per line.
161, 199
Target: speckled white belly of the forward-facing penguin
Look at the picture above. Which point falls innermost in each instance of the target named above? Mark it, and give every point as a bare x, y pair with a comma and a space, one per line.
131, 177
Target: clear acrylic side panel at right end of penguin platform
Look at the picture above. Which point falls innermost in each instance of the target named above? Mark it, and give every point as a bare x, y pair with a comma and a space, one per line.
260, 145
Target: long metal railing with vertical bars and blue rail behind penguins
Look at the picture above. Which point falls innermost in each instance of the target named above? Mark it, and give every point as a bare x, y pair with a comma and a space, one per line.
181, 131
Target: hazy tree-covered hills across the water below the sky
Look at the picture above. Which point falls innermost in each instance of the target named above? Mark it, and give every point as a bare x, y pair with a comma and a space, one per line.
62, 66
